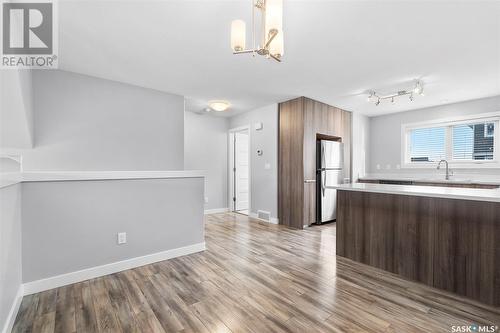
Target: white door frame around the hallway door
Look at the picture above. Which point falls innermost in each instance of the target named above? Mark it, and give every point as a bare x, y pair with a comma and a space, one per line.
230, 139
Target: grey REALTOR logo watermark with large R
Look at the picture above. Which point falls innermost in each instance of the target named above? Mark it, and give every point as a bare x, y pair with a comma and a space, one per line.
29, 34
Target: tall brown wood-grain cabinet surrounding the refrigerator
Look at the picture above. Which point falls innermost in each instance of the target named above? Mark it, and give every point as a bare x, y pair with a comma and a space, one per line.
301, 122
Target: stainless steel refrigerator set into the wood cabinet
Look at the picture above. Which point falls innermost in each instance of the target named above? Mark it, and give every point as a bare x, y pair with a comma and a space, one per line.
329, 162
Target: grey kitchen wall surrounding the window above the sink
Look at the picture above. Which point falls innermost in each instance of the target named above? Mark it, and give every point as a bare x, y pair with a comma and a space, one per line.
385, 134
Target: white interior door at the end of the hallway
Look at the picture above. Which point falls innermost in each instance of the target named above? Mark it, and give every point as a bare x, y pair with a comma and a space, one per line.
241, 181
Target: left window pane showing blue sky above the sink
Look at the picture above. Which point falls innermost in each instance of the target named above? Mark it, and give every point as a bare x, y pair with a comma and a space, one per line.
427, 144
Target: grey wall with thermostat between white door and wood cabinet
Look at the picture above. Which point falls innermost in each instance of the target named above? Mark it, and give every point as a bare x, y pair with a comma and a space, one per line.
264, 182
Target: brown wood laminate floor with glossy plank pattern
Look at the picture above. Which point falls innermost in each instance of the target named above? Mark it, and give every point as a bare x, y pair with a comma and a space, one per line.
254, 277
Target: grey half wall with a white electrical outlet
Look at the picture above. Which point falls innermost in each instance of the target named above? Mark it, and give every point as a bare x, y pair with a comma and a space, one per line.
66, 233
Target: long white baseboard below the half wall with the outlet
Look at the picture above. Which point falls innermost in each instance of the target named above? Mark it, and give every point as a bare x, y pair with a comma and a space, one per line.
93, 272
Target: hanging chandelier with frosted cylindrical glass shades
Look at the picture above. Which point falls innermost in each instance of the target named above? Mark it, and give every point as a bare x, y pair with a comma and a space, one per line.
272, 32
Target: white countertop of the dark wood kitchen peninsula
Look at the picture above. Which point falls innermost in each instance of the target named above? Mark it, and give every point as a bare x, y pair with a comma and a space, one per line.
426, 191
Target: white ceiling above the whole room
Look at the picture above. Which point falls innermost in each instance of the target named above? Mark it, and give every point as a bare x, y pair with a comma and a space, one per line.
334, 50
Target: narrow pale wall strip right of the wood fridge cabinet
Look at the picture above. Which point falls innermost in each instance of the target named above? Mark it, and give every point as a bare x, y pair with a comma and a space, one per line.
360, 145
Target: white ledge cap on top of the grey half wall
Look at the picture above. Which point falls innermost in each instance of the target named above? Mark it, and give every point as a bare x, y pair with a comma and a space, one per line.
10, 178
